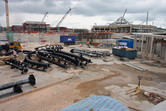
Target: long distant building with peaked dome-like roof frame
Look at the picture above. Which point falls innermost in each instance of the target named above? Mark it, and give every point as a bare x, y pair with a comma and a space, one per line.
121, 25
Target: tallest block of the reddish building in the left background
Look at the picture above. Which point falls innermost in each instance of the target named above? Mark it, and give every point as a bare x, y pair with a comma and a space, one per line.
35, 26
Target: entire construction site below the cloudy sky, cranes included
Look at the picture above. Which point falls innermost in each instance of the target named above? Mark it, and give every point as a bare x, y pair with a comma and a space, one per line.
116, 67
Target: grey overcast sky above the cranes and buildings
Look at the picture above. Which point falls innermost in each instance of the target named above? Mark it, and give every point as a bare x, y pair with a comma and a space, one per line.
85, 13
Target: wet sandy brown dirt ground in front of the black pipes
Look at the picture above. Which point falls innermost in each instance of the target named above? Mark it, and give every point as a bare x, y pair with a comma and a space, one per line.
110, 78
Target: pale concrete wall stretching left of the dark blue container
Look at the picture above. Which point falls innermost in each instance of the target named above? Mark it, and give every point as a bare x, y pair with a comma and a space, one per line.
33, 37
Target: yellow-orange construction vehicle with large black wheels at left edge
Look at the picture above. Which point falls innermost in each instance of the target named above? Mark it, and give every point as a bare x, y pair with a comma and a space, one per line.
6, 47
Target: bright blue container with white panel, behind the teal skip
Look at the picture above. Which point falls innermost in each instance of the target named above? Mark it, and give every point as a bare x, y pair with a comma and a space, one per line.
127, 43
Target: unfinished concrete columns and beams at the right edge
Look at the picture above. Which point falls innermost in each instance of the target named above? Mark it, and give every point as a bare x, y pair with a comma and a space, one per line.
151, 46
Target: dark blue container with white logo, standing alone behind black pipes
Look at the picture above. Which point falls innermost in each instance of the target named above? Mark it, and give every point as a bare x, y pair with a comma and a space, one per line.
67, 39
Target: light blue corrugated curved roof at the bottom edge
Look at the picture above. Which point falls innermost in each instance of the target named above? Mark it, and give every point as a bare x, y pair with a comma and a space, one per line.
97, 103
